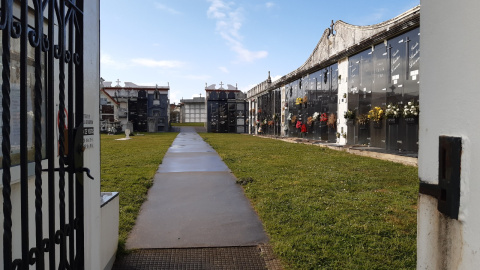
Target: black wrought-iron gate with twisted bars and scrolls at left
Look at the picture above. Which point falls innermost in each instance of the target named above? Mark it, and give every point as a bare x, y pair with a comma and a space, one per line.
42, 61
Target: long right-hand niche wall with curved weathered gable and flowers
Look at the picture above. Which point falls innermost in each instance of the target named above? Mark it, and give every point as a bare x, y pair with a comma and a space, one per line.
360, 86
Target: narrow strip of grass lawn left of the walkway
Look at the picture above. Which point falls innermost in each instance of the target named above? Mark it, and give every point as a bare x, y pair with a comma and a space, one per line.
128, 167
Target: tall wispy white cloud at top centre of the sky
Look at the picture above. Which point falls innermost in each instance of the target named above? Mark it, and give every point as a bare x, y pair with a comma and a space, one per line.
229, 22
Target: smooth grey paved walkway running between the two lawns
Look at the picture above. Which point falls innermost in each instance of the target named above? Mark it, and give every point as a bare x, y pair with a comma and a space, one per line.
195, 202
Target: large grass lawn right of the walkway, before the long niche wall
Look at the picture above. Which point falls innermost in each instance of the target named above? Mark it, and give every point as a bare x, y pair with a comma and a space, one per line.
325, 209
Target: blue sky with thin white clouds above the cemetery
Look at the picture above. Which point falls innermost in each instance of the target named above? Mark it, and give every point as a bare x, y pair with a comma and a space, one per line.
187, 43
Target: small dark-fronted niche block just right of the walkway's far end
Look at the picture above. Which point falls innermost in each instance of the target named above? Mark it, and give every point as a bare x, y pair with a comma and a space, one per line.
226, 110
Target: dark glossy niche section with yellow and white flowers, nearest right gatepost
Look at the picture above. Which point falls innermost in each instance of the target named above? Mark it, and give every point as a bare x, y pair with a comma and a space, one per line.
383, 94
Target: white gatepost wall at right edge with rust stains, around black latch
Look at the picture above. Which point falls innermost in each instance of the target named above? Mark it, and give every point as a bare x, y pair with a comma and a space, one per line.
449, 101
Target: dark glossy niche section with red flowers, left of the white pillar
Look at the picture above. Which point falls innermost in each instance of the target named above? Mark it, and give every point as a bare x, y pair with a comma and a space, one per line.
311, 107
